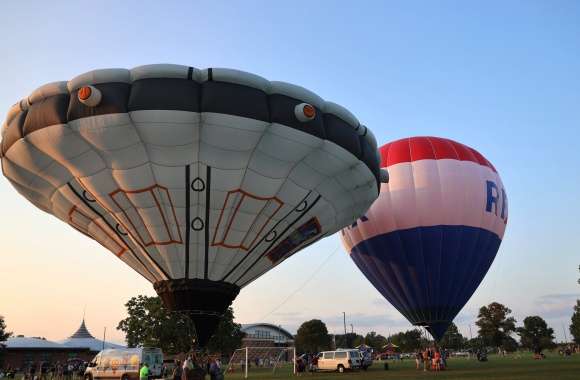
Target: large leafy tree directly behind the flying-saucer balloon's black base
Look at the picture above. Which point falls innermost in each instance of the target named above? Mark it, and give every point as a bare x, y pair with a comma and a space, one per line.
149, 324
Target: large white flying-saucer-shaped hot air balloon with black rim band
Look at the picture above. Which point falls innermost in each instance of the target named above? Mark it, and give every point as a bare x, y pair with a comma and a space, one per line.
199, 180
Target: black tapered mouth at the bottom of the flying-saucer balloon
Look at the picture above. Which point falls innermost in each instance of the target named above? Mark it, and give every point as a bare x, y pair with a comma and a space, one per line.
204, 301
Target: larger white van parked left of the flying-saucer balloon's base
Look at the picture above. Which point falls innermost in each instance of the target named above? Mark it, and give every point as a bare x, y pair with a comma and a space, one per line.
124, 363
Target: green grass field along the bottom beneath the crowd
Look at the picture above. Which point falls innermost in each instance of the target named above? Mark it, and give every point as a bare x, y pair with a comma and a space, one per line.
552, 368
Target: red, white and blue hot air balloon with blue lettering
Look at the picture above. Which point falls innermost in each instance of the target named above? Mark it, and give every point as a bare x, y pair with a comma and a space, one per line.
427, 242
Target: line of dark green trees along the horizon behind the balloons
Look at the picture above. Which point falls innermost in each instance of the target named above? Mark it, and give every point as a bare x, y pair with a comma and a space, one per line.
148, 323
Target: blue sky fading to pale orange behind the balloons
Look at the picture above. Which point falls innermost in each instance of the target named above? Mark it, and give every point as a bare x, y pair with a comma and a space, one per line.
500, 76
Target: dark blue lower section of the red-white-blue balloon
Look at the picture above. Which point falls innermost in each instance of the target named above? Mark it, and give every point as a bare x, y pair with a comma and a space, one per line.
428, 273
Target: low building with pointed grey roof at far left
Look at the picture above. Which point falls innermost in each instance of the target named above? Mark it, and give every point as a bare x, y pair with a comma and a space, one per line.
22, 352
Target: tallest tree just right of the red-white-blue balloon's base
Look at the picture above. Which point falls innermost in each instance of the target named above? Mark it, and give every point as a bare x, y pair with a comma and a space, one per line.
495, 326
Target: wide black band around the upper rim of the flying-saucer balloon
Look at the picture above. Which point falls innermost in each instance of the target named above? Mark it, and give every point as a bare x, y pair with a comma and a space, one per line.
189, 95
